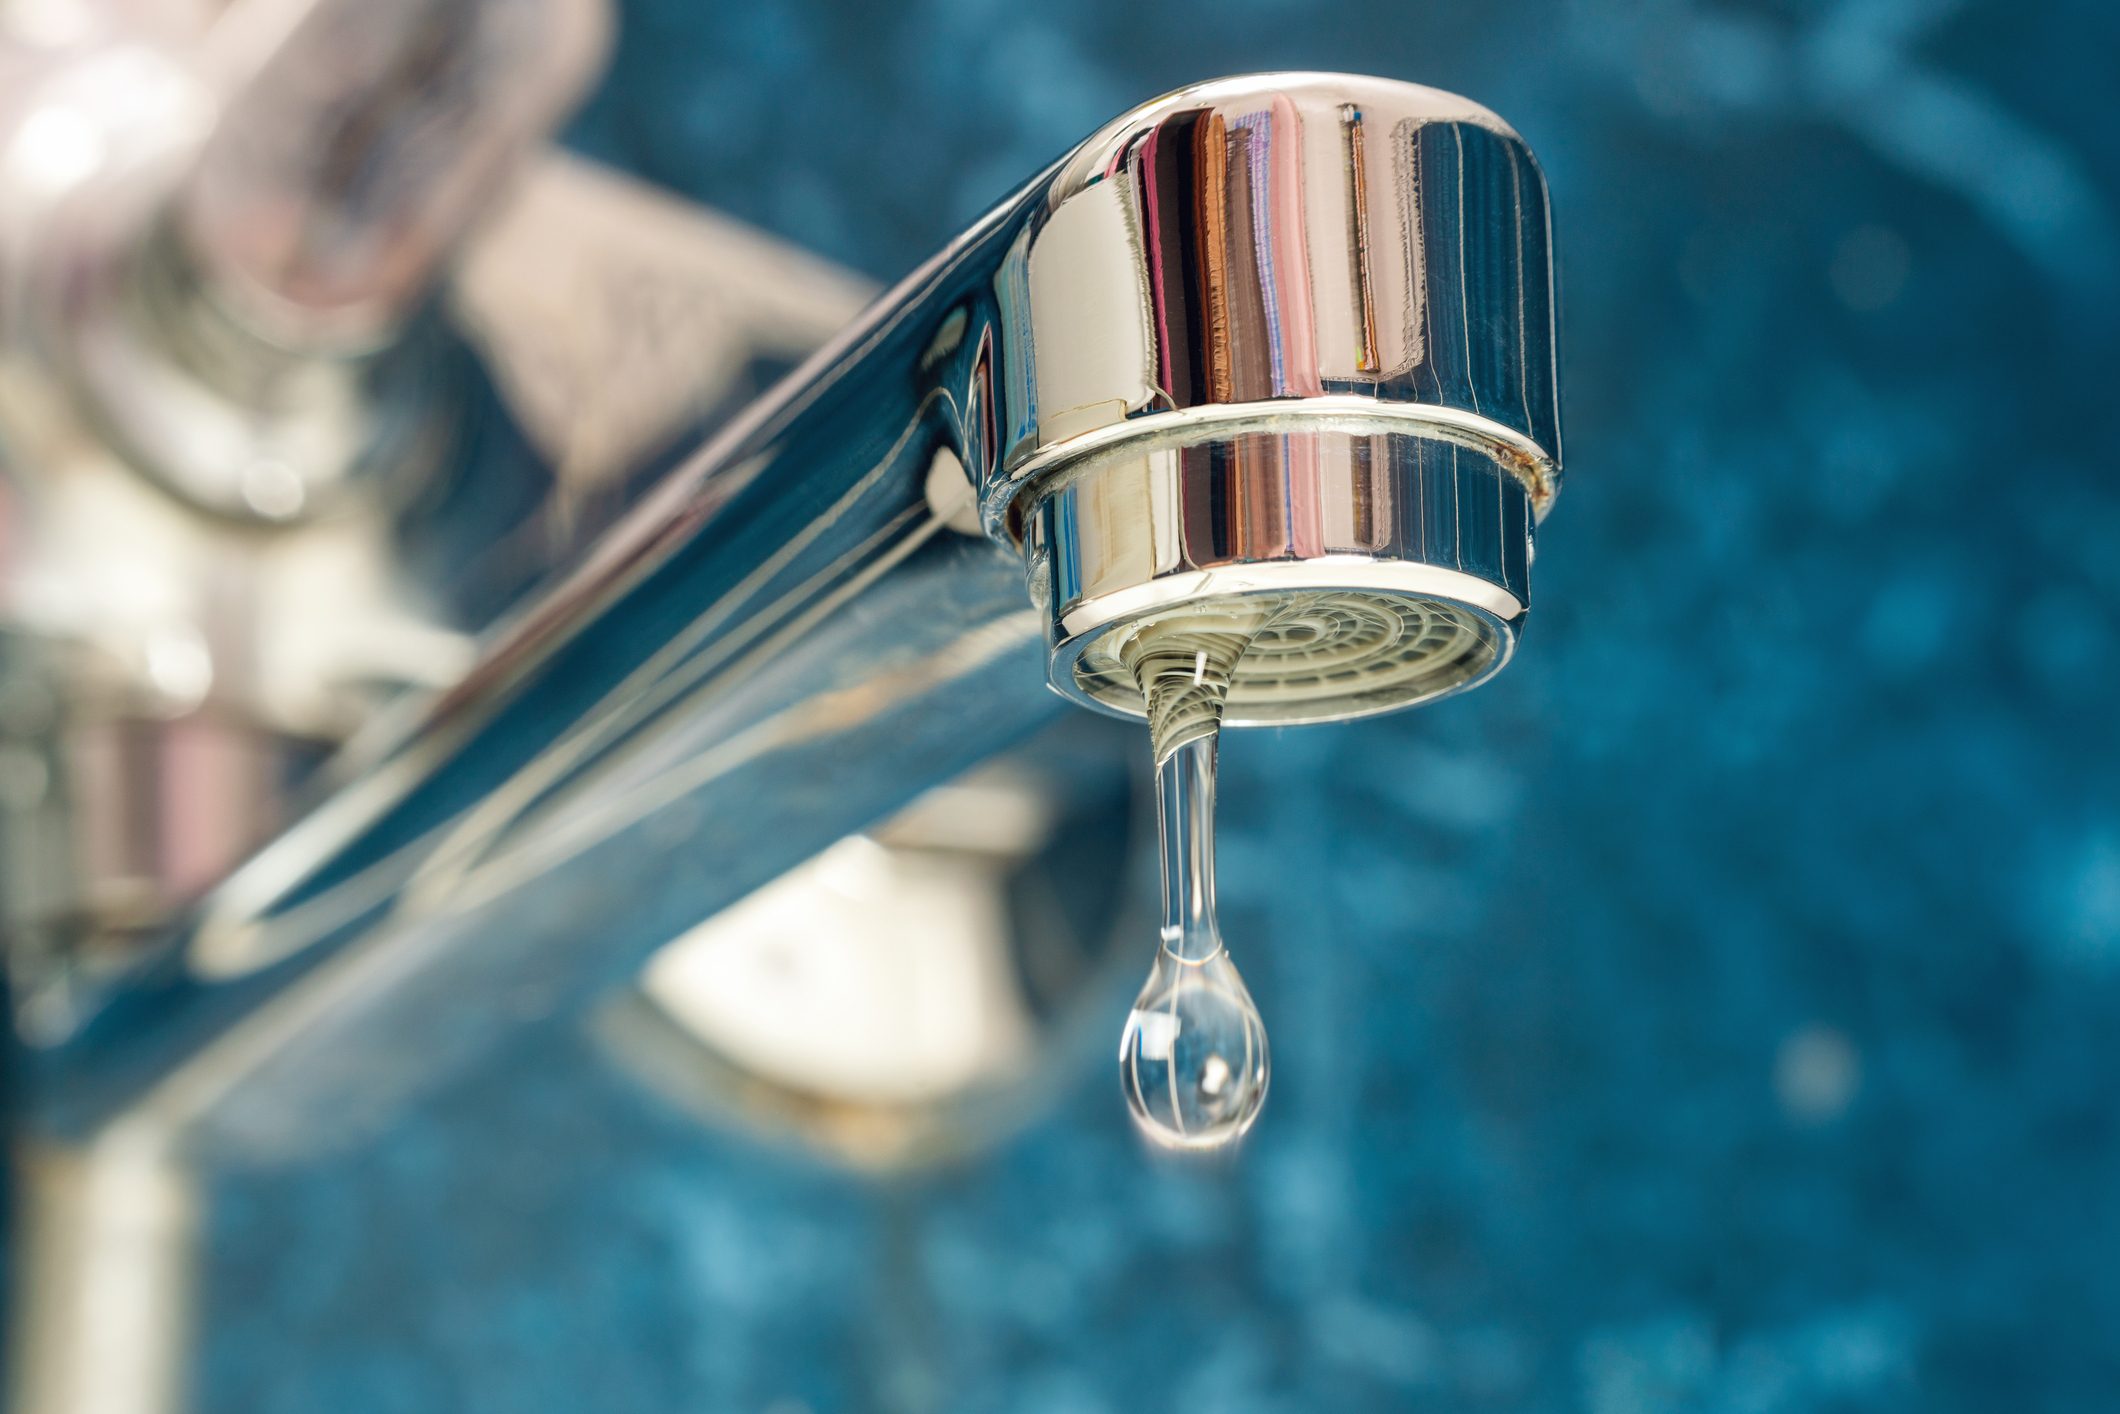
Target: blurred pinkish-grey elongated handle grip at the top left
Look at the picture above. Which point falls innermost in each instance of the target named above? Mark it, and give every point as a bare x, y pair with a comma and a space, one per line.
361, 143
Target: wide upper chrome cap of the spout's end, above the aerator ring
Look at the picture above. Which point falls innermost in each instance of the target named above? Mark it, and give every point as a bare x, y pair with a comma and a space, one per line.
1239, 251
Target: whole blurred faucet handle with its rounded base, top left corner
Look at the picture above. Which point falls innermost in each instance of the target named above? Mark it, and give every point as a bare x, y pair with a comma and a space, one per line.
222, 236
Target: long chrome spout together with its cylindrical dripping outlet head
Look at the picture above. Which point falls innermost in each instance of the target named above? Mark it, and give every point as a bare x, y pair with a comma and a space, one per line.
1271, 336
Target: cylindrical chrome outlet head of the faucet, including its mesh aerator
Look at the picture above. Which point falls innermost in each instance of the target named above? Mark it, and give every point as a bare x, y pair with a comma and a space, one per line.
1284, 336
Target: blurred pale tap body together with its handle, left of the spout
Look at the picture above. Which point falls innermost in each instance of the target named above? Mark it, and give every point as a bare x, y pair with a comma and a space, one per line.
209, 527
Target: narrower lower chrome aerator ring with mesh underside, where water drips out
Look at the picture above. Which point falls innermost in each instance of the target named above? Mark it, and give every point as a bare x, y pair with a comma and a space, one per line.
1413, 552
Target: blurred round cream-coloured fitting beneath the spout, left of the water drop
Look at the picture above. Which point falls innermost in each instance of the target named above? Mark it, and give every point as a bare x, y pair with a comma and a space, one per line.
874, 1006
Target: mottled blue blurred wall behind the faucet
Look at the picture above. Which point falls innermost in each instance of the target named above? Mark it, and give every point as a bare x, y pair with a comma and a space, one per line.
1718, 1012
